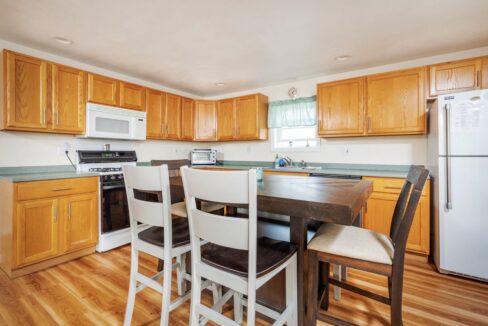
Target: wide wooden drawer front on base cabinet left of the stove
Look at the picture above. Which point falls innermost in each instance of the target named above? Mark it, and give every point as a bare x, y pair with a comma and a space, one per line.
55, 188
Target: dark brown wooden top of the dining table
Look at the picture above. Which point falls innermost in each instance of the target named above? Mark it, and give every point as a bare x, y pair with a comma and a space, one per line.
323, 199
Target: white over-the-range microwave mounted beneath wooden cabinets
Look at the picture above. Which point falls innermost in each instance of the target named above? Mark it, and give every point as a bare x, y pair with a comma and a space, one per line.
110, 122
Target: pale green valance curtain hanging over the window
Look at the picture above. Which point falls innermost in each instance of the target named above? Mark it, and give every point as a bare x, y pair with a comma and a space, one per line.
300, 112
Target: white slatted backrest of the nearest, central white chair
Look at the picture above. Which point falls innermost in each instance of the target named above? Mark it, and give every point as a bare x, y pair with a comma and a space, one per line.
229, 187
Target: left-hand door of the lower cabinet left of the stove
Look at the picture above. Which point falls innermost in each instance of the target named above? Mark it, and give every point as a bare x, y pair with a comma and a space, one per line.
36, 231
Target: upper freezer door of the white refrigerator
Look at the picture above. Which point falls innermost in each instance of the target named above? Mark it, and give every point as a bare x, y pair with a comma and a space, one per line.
463, 124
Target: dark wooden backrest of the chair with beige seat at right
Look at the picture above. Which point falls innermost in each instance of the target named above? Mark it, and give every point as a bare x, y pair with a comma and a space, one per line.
406, 206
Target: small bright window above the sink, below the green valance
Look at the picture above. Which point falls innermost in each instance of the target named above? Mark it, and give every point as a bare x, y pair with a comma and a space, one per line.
295, 139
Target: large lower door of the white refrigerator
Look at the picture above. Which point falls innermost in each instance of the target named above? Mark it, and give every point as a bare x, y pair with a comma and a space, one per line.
463, 229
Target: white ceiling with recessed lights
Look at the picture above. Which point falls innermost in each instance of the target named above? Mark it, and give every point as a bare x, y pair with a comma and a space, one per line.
191, 45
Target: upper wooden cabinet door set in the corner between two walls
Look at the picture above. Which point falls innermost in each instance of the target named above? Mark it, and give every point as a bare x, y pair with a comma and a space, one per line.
205, 120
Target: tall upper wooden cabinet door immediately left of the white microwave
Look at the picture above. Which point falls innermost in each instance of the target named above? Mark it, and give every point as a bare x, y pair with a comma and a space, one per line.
68, 99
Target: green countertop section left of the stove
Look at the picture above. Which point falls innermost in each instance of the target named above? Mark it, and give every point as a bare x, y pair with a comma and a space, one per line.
38, 173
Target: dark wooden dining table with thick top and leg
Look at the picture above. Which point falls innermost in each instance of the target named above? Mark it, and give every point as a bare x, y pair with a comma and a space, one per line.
305, 199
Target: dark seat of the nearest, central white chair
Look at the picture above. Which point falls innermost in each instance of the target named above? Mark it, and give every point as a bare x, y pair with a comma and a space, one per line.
270, 254
